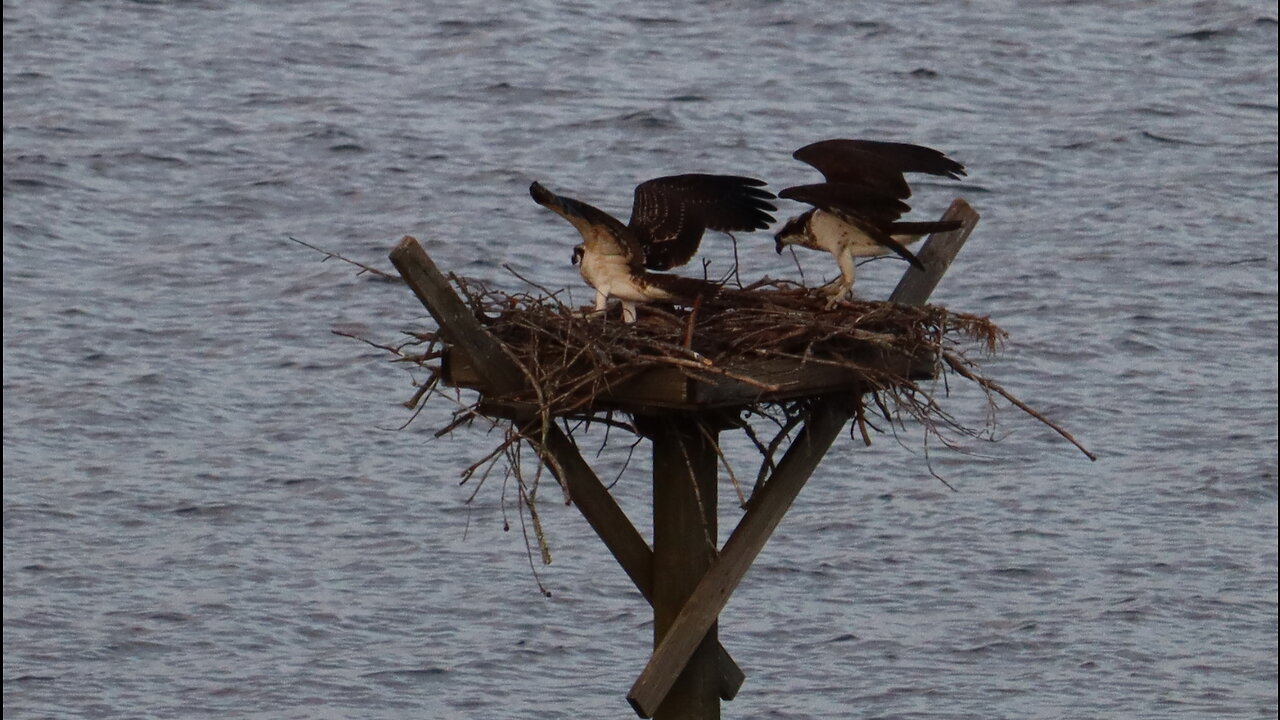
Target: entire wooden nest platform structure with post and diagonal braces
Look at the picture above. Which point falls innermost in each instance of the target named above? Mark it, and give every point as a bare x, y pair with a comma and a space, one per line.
685, 578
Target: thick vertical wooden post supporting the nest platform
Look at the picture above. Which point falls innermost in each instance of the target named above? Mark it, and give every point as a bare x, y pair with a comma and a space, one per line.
684, 546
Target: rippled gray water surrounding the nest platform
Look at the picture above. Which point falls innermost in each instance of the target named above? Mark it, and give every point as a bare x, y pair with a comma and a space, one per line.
209, 511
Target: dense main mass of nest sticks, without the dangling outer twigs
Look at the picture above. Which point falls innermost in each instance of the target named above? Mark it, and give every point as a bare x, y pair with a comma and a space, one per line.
573, 359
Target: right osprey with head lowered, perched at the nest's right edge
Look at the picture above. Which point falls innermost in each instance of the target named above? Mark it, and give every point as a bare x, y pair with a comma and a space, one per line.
856, 213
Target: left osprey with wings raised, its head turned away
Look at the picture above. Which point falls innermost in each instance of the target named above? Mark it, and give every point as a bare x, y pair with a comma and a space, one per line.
668, 224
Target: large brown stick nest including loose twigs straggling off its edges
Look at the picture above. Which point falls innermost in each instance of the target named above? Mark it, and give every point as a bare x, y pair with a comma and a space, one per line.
572, 358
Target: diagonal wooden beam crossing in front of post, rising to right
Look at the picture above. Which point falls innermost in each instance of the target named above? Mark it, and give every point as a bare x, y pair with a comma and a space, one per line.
766, 512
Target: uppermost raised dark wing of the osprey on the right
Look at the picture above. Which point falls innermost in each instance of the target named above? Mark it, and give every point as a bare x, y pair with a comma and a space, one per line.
875, 165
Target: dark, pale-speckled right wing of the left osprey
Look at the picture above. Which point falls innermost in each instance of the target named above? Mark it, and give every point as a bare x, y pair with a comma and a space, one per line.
671, 215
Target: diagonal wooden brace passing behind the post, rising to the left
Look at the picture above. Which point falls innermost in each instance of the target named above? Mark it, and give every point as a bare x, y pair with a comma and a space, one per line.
502, 376
